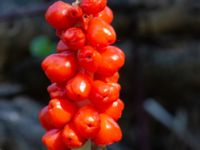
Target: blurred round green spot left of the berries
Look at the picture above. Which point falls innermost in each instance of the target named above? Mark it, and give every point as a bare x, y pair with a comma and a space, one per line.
41, 46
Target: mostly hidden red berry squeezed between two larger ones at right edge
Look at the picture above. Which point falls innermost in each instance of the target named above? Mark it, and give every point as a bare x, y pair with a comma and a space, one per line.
113, 78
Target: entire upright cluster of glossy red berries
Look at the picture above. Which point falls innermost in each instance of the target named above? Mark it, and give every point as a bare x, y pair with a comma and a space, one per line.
84, 92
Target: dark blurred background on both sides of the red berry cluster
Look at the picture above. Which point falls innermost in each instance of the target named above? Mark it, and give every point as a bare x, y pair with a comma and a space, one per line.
160, 80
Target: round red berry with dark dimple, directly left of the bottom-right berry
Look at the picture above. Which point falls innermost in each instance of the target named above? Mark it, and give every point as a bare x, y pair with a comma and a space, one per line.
87, 121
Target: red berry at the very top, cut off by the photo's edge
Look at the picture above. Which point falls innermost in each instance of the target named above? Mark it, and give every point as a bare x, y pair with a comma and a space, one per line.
92, 6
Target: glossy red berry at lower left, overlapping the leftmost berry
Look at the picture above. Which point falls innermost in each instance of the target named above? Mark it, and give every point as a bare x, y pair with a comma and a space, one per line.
61, 111
